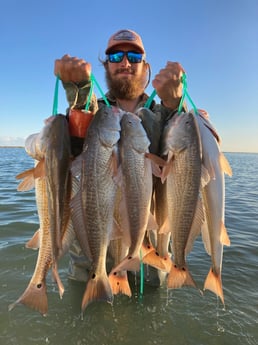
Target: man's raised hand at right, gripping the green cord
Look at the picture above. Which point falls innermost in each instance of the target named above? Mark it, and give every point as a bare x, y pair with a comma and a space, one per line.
168, 84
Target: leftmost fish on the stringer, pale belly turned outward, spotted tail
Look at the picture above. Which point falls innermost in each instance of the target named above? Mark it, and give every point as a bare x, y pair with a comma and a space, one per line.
56, 232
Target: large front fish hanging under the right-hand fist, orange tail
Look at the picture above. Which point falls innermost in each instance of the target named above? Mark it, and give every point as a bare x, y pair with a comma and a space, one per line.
182, 144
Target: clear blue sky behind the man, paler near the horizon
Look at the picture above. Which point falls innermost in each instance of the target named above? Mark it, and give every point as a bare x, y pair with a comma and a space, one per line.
216, 41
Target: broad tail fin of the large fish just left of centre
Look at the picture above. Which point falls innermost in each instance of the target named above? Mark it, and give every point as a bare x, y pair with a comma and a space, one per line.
98, 289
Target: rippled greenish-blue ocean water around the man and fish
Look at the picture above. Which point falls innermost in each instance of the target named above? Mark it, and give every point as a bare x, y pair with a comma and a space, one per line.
160, 316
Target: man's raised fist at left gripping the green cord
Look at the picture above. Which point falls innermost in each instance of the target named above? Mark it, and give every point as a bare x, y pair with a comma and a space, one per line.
72, 69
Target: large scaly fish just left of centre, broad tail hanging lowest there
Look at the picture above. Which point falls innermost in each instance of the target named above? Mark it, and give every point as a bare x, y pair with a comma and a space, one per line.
96, 199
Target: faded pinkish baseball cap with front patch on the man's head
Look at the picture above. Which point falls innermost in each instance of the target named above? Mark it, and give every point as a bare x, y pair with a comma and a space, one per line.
125, 36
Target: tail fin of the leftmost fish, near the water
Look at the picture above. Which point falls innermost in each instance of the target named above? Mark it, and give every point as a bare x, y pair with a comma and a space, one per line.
34, 297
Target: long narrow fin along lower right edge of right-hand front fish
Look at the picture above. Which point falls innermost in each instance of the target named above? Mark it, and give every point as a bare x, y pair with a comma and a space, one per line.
196, 226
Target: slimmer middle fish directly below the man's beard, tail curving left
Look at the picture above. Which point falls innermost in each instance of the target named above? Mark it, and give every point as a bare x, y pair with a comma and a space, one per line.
137, 184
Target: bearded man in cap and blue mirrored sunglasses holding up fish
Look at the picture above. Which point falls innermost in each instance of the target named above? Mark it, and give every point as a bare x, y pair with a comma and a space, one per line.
127, 76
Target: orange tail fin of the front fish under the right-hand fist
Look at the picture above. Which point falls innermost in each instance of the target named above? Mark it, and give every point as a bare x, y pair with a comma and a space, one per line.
179, 277
